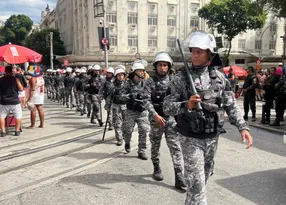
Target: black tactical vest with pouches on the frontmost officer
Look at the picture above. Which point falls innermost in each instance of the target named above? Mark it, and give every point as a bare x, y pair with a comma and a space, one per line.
208, 123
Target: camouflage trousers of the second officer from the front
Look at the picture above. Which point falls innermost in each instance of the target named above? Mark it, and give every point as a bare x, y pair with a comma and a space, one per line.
172, 141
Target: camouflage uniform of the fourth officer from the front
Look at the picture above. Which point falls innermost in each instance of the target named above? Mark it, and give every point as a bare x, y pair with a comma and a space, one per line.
117, 108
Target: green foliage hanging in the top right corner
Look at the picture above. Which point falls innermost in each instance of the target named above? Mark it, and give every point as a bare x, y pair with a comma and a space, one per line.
278, 7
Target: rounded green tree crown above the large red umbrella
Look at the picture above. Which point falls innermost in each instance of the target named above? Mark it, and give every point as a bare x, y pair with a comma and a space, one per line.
16, 28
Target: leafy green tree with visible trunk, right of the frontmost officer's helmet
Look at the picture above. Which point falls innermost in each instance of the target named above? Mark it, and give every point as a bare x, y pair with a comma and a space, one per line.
231, 17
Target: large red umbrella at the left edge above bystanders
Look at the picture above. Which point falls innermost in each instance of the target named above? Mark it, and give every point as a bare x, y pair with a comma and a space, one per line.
14, 54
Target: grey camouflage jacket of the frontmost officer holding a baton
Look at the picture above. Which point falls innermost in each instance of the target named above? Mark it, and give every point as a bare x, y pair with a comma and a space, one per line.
176, 102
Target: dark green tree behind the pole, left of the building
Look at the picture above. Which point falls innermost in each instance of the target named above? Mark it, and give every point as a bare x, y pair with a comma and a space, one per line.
39, 42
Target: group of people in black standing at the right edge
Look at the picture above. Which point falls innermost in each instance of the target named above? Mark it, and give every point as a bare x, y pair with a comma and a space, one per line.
267, 86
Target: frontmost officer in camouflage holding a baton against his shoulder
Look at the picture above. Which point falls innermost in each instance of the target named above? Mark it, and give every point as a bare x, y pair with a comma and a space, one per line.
198, 129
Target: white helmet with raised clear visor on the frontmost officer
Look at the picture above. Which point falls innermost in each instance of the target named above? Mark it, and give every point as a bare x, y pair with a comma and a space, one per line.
202, 40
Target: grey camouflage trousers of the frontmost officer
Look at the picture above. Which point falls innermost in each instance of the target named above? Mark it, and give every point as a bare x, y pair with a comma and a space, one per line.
199, 163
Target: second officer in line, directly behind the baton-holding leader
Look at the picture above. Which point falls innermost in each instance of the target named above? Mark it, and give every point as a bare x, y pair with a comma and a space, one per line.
155, 92
